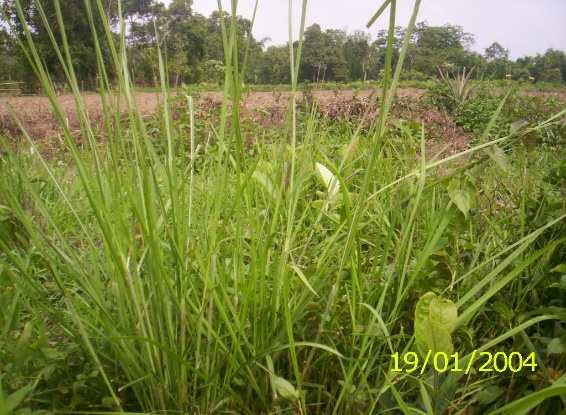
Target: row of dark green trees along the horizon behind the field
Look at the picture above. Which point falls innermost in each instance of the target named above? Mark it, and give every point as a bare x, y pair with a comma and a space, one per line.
192, 44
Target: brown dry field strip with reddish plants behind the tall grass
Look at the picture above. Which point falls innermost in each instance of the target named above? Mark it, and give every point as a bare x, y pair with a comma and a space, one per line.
267, 109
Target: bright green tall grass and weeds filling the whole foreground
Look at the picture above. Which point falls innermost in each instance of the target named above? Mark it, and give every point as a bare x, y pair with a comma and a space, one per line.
183, 270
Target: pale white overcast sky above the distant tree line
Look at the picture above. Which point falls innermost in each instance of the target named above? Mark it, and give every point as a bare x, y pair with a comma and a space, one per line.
525, 27
